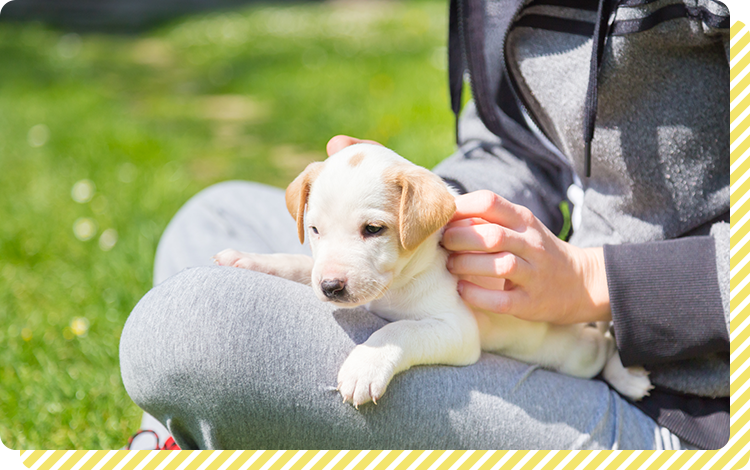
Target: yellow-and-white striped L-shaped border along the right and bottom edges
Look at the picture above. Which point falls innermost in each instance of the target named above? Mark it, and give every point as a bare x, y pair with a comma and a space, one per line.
734, 456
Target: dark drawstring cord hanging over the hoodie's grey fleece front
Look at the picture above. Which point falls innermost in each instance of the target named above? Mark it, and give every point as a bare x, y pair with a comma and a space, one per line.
601, 31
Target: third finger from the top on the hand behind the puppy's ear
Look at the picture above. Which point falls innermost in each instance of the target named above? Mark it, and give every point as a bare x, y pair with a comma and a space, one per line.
505, 265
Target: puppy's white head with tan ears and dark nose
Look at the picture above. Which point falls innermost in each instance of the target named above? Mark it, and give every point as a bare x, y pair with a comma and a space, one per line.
368, 212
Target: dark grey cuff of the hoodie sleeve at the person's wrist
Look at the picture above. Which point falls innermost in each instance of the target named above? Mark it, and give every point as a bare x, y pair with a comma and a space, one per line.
670, 299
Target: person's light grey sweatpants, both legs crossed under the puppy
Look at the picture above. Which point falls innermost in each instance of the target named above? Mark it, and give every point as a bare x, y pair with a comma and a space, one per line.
229, 358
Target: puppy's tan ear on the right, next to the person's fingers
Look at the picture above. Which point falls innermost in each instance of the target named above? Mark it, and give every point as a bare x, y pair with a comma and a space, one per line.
426, 204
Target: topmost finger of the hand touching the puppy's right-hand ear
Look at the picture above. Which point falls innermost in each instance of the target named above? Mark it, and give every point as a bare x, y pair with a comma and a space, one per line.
492, 208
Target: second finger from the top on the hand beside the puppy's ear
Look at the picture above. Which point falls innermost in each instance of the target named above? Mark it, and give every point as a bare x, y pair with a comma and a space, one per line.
488, 238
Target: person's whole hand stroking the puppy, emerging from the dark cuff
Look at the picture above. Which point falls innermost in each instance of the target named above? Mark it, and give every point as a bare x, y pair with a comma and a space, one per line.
508, 262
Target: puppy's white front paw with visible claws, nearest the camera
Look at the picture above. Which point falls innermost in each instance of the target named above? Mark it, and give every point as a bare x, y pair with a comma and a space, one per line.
364, 375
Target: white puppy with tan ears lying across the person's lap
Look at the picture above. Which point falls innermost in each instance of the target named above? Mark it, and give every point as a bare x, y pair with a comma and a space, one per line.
375, 221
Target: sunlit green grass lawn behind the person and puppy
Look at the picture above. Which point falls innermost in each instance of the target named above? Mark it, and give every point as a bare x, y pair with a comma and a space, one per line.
147, 121
